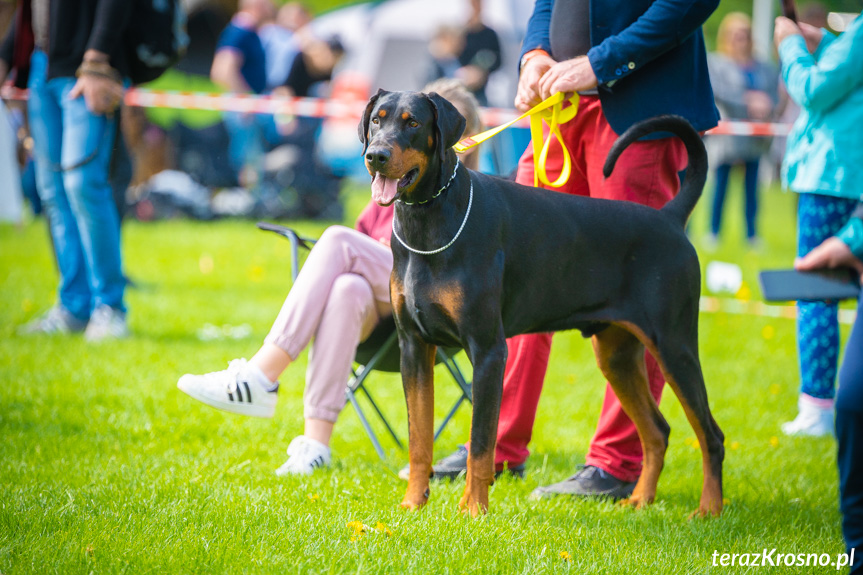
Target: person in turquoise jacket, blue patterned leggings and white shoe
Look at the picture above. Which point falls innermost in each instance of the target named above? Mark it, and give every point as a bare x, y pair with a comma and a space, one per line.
824, 164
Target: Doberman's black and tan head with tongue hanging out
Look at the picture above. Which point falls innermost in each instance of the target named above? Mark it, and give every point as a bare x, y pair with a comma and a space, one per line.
405, 137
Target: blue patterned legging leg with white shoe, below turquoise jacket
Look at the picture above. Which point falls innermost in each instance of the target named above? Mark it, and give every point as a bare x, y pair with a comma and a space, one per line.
818, 218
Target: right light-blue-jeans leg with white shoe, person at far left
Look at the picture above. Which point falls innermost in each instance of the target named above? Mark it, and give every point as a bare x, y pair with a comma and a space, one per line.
88, 142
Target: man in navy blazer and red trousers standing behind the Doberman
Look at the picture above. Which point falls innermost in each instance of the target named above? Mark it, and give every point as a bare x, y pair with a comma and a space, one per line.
629, 60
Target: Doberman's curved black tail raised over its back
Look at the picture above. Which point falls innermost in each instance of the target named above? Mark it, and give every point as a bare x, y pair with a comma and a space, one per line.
681, 206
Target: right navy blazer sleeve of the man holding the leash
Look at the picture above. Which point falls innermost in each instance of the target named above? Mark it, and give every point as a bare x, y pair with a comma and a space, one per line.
664, 25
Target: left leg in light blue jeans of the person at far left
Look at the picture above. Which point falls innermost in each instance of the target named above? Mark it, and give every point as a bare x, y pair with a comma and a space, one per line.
47, 130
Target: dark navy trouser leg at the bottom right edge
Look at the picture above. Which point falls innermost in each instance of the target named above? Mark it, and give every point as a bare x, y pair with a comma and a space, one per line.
849, 435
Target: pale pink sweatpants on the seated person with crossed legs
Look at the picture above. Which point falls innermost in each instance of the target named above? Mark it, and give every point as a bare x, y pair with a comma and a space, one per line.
340, 295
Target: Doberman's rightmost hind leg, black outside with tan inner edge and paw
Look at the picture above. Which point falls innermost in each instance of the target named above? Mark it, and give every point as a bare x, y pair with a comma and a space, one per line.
678, 358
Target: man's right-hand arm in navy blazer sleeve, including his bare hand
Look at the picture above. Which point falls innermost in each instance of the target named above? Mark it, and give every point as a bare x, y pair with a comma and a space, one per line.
664, 25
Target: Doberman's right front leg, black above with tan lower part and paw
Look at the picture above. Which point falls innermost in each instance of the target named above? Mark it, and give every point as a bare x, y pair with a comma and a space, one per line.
488, 367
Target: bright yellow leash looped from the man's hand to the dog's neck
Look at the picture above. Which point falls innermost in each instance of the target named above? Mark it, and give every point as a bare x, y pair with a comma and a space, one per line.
552, 111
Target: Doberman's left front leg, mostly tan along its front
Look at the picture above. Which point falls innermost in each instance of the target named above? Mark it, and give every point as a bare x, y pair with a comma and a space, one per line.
417, 366
